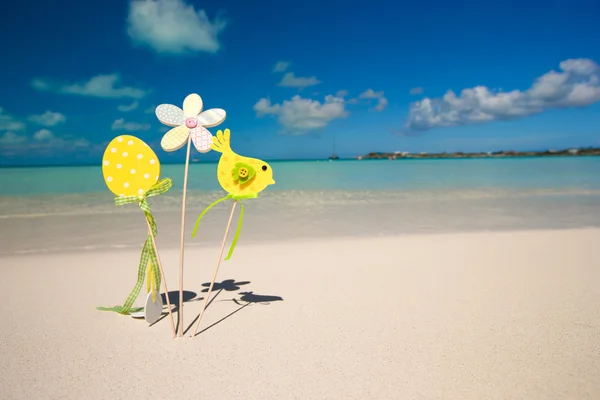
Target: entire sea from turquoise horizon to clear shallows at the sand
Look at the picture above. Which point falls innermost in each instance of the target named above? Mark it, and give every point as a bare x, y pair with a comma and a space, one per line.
58, 208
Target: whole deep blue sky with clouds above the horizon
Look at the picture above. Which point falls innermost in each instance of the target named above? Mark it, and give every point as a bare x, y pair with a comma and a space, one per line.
379, 75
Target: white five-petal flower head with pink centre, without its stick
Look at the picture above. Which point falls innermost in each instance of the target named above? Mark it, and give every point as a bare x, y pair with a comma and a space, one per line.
188, 122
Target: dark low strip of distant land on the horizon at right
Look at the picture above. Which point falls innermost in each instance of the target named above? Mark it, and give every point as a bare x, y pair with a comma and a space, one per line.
588, 151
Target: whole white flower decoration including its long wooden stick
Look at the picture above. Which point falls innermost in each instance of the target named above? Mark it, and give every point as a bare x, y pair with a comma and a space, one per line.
189, 126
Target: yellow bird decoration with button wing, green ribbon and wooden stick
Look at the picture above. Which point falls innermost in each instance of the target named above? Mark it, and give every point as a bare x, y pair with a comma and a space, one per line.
242, 178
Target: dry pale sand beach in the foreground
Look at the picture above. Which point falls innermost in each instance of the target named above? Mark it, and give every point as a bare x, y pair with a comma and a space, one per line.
496, 315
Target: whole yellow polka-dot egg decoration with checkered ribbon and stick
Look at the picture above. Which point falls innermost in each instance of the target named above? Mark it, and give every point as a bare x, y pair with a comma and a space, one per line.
131, 171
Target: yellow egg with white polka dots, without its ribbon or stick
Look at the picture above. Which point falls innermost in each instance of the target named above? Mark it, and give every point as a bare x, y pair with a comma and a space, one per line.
130, 167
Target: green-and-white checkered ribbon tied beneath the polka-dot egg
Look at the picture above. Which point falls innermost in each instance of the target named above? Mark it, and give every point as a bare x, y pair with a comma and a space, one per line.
148, 256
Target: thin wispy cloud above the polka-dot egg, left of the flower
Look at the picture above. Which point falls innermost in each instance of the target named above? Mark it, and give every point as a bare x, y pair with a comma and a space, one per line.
98, 86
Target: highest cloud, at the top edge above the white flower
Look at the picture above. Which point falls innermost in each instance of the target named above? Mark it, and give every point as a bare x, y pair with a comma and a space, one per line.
173, 27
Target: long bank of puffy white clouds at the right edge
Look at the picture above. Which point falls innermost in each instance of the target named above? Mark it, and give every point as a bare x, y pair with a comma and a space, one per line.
576, 85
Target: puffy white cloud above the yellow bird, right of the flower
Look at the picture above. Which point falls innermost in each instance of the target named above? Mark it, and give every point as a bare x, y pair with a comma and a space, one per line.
299, 115
